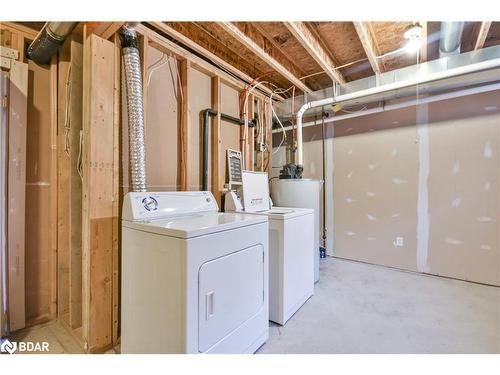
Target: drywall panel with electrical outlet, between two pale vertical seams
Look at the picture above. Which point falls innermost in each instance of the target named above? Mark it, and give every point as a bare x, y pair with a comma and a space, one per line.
375, 196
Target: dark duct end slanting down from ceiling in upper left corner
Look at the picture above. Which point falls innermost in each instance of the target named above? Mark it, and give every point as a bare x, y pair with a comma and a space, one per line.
49, 40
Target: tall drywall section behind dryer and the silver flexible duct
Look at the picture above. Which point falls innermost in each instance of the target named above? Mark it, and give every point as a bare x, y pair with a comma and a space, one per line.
161, 124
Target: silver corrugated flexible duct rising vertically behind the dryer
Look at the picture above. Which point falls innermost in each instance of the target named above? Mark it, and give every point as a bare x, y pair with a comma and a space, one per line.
135, 109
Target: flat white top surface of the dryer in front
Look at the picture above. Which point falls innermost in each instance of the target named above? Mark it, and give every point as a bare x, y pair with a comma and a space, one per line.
194, 225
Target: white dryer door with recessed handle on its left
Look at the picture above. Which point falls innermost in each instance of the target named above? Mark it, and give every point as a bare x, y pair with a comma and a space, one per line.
231, 291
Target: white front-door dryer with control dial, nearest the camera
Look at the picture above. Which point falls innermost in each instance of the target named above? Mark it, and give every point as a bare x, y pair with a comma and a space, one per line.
194, 280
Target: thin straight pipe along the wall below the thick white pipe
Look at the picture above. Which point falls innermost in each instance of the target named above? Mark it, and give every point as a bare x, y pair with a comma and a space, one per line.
405, 104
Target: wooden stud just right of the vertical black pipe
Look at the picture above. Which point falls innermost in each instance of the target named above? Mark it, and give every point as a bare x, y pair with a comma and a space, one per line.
216, 141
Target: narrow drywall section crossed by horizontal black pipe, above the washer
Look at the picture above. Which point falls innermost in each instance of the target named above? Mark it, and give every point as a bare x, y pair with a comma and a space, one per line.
230, 133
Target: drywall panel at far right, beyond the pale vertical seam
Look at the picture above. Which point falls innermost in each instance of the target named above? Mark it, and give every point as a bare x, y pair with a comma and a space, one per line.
464, 190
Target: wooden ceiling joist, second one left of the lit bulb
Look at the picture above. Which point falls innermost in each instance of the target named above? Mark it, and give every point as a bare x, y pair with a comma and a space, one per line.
313, 46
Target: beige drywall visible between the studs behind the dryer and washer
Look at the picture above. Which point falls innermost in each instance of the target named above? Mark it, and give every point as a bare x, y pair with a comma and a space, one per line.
163, 96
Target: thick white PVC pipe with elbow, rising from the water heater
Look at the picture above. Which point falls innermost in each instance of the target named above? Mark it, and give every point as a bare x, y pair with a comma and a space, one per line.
467, 69
